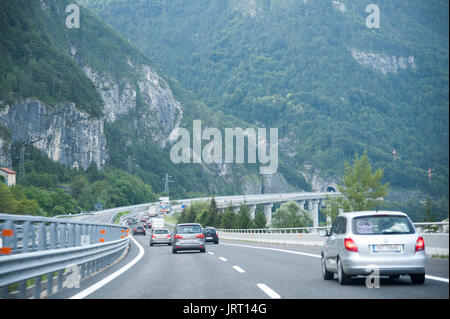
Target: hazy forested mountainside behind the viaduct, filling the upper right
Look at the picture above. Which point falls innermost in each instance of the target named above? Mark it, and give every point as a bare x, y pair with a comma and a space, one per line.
313, 69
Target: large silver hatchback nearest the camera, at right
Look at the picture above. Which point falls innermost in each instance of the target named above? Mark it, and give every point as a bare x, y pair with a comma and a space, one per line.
360, 243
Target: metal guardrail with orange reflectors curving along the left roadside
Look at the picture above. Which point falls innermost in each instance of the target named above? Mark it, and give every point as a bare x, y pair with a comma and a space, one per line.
32, 247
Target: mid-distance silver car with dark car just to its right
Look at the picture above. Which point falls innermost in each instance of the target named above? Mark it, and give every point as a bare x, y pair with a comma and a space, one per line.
188, 237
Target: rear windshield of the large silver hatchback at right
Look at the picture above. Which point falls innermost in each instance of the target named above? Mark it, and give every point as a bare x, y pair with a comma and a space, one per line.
382, 225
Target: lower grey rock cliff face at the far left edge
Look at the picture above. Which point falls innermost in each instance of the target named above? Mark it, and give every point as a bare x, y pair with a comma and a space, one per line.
65, 135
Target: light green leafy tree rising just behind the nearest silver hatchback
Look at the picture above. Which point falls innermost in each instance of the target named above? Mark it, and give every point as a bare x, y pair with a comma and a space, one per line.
362, 189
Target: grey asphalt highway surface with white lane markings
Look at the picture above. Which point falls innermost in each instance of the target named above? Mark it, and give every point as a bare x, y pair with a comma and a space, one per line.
241, 270
